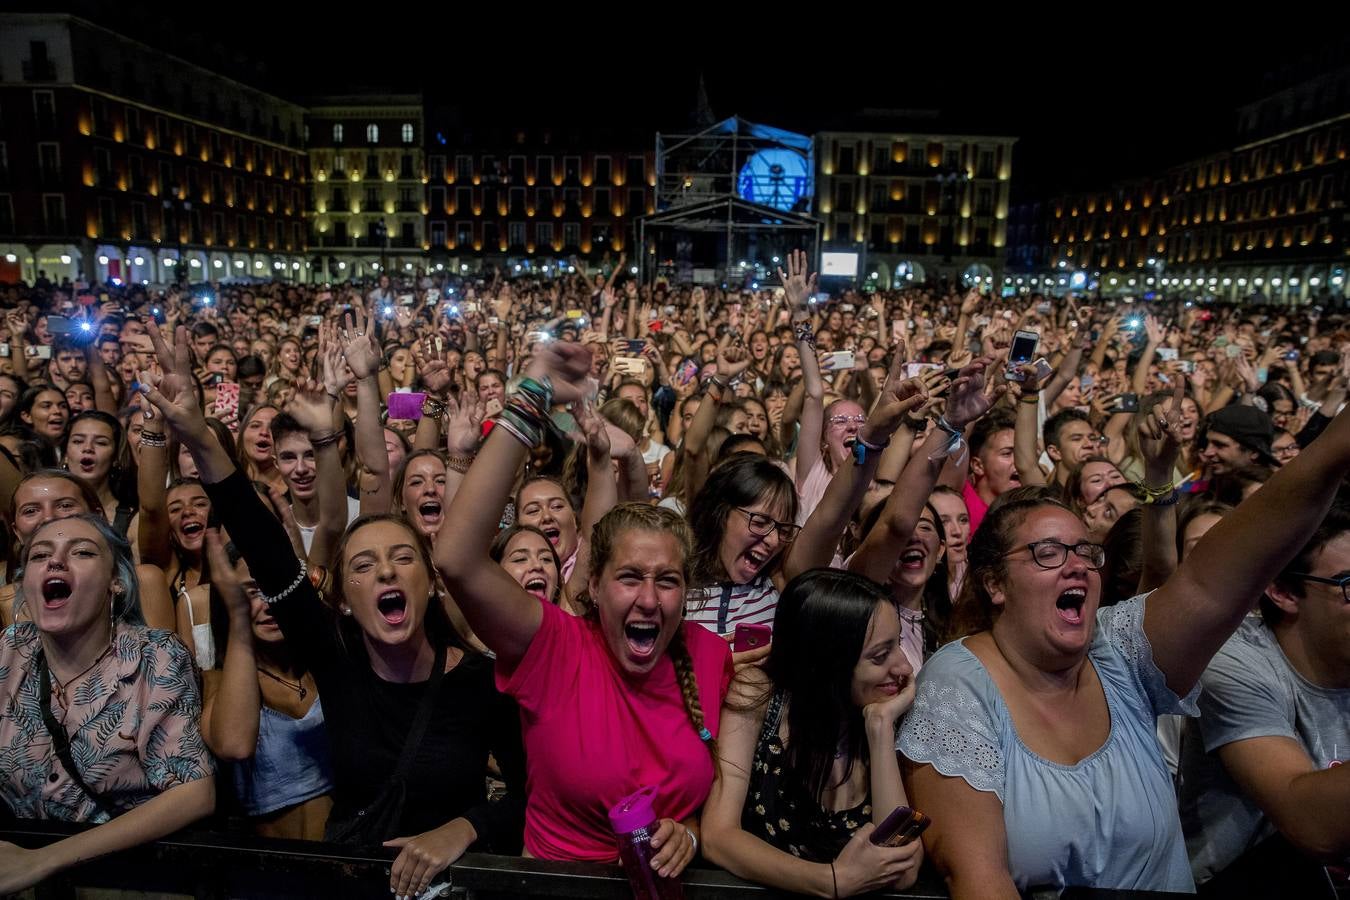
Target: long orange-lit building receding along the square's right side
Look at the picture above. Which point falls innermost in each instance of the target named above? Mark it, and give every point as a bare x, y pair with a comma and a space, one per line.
1264, 219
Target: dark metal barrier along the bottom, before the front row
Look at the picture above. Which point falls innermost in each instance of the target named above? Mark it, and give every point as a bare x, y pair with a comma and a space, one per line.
214, 867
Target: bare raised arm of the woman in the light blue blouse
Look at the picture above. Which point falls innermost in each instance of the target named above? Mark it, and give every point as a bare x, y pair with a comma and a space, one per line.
1195, 612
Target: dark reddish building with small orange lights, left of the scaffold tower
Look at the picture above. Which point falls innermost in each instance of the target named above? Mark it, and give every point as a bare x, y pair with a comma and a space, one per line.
534, 198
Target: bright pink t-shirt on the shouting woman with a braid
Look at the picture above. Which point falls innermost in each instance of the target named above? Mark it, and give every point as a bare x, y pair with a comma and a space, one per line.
593, 736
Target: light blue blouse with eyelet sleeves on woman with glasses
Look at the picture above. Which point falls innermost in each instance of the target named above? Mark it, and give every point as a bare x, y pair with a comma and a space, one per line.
1108, 822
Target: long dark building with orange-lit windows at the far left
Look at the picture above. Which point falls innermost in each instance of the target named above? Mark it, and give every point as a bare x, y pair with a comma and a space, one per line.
122, 163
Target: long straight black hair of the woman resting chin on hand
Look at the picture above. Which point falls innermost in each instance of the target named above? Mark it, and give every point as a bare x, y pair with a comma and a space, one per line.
819, 634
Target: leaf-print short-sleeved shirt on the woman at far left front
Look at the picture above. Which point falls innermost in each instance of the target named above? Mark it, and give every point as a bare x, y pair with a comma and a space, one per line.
133, 723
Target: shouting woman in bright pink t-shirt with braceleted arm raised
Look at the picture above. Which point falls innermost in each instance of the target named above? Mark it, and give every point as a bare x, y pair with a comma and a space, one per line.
614, 701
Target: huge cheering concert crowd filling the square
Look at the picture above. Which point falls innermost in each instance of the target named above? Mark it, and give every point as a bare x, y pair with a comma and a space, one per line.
464, 563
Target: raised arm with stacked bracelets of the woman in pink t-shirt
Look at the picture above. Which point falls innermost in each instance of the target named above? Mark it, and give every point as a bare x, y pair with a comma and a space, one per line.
500, 612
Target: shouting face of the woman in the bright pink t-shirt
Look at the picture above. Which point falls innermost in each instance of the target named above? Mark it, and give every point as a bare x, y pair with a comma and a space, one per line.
641, 598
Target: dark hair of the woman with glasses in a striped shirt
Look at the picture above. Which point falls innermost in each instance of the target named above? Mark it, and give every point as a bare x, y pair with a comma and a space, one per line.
742, 481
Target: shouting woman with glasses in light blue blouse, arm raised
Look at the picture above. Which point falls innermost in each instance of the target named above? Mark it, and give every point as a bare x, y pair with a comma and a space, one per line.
1032, 743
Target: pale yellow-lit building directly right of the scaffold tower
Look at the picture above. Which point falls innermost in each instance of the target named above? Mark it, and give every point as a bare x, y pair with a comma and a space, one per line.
915, 206
